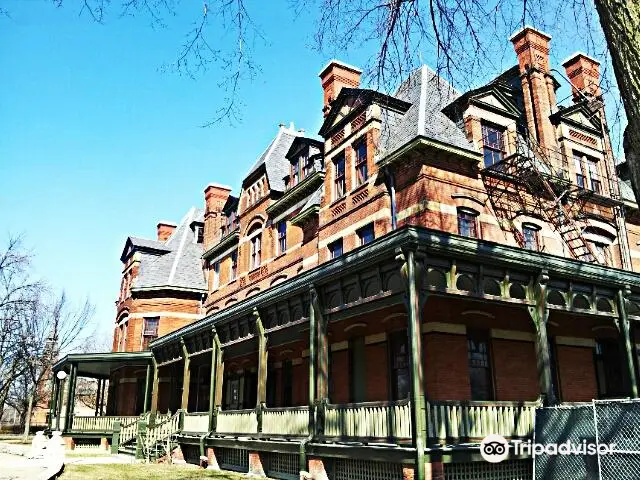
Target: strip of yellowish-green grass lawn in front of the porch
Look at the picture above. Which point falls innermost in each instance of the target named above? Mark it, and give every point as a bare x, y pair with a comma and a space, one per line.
142, 471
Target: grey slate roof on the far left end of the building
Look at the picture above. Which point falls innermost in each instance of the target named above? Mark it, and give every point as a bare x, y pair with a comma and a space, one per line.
180, 263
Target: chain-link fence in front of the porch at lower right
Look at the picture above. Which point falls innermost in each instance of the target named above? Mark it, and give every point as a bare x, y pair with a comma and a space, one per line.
601, 437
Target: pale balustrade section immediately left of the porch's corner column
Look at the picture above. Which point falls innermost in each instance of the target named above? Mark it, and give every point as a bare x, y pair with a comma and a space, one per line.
385, 421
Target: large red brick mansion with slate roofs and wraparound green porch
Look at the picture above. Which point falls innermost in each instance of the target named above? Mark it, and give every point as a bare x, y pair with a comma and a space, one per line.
375, 299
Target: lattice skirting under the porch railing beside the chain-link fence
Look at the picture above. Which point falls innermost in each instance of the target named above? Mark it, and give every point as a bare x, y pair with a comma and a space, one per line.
509, 470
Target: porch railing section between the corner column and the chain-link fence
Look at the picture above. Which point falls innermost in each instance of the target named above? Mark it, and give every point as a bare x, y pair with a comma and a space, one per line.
454, 420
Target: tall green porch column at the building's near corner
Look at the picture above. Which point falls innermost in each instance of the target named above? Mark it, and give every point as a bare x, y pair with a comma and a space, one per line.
418, 432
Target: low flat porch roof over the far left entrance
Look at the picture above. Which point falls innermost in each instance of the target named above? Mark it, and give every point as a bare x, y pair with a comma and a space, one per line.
100, 365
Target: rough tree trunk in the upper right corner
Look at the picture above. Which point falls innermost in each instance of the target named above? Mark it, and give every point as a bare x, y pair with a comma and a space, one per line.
620, 20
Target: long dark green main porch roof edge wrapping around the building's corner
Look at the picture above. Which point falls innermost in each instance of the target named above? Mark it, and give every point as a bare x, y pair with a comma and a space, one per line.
432, 242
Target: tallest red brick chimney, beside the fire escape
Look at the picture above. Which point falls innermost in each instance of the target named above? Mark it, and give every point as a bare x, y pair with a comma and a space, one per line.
532, 48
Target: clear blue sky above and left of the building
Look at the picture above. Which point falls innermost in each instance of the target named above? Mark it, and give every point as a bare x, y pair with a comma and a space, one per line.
97, 143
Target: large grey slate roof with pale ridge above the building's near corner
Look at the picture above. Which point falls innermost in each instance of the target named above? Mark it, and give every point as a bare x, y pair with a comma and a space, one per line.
428, 95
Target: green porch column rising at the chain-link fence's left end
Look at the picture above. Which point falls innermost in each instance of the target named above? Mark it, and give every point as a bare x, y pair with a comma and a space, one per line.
540, 315
